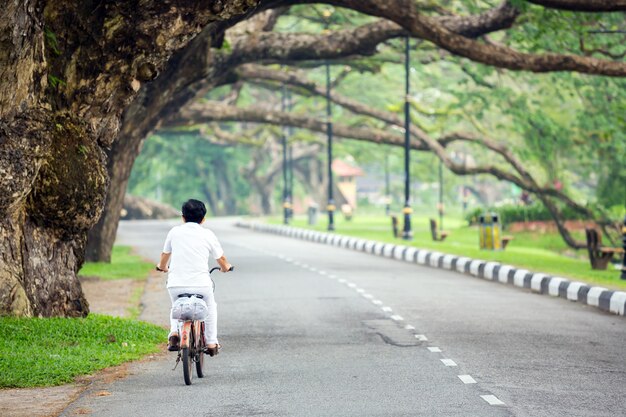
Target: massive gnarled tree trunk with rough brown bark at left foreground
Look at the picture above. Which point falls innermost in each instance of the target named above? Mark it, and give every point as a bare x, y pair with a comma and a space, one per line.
62, 93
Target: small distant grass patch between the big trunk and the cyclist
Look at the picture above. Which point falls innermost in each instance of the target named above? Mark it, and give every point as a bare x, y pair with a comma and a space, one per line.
123, 265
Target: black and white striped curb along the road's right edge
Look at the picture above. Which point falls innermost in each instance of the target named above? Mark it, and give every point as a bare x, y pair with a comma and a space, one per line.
604, 299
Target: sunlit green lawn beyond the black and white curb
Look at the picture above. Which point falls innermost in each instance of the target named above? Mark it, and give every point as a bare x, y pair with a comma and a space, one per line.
534, 251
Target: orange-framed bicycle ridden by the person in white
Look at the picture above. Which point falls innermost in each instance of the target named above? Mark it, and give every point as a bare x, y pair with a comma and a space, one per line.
192, 345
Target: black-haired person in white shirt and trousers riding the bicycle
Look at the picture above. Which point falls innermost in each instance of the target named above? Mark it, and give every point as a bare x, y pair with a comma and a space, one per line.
189, 247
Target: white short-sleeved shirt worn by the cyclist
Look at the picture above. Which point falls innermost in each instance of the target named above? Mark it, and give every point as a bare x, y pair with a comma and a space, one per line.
191, 246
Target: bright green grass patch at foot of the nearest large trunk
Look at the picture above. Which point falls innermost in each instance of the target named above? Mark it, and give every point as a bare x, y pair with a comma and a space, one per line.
46, 352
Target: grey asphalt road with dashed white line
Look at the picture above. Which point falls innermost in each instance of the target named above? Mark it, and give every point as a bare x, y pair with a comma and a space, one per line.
311, 330
